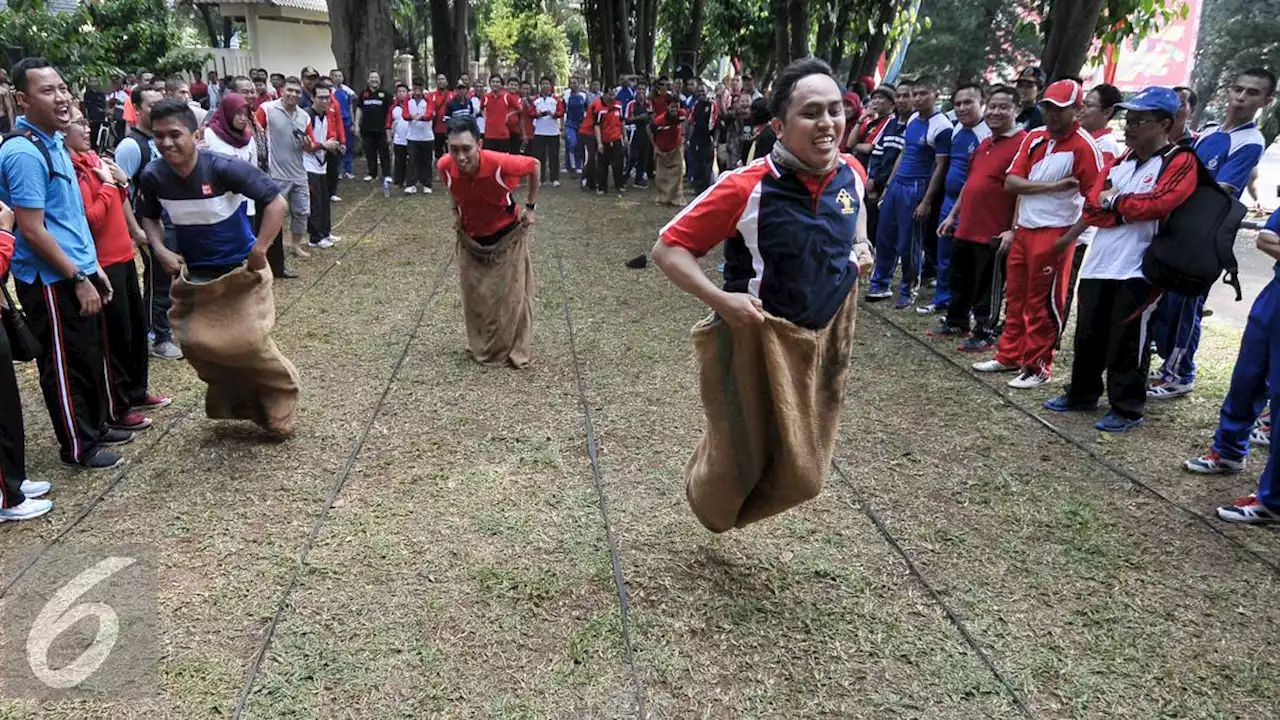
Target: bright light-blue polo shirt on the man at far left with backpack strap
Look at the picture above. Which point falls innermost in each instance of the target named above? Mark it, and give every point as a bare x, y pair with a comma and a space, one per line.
25, 183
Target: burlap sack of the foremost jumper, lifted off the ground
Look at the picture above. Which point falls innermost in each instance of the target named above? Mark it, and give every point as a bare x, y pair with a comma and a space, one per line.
772, 395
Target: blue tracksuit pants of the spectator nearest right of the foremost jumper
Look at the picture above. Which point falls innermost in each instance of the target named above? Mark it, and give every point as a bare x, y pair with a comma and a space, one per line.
900, 236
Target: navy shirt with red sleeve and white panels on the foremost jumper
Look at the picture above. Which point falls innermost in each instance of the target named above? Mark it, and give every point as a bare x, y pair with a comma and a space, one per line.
789, 238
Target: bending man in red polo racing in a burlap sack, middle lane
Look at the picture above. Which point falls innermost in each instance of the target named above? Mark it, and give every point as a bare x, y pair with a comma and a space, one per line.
495, 268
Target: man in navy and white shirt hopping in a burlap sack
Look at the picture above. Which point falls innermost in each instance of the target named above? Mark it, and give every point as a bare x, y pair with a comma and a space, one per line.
223, 308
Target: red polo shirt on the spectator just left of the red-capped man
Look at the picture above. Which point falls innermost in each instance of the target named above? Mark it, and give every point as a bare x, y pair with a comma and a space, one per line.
986, 207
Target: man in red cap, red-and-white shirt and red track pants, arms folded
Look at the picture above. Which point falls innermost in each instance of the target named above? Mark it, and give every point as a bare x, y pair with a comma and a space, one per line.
1050, 174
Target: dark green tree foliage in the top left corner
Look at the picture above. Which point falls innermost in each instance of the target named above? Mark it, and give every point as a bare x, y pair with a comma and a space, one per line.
100, 39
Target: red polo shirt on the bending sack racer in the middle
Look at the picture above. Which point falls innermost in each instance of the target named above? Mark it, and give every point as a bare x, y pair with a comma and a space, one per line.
484, 200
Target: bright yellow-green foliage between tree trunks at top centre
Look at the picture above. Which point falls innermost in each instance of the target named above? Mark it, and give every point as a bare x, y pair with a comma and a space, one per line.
528, 40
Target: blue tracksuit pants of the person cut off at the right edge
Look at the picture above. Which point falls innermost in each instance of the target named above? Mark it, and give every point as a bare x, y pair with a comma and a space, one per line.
1258, 367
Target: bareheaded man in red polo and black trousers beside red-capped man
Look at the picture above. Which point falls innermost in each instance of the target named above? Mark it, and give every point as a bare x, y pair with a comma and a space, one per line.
986, 222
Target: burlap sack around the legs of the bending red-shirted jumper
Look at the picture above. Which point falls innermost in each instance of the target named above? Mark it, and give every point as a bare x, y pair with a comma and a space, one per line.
499, 298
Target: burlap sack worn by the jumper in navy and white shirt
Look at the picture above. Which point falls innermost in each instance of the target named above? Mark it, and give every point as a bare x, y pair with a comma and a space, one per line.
225, 329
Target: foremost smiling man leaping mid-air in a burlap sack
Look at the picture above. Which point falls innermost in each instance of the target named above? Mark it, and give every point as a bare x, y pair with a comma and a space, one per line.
774, 356
